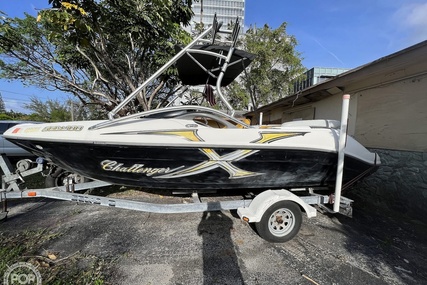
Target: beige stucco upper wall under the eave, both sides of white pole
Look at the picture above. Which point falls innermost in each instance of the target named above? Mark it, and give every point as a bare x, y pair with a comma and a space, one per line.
393, 116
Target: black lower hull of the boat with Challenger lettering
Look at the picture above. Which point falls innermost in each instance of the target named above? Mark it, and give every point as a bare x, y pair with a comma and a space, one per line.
198, 169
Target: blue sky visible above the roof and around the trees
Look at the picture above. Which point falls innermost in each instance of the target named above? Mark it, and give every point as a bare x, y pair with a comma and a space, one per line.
330, 33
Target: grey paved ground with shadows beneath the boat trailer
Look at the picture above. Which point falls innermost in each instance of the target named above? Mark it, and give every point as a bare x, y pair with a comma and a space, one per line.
219, 248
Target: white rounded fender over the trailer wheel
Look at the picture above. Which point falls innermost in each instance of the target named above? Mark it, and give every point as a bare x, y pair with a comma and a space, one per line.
253, 213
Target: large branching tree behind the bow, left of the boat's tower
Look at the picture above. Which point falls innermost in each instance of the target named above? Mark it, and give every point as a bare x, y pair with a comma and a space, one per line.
99, 51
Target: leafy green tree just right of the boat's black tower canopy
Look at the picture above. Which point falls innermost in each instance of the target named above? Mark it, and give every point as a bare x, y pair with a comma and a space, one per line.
269, 77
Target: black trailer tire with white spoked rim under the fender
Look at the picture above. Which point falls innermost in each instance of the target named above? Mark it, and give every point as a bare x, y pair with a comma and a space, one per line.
281, 222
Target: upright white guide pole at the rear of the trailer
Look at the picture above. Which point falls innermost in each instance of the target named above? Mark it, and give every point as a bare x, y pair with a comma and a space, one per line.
341, 151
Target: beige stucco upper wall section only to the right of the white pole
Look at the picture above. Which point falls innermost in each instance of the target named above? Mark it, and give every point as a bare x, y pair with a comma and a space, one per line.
394, 116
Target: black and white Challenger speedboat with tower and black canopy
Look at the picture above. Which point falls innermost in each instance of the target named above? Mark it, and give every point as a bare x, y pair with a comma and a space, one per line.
198, 148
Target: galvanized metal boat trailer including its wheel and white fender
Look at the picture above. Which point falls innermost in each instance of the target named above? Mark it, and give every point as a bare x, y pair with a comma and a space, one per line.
276, 213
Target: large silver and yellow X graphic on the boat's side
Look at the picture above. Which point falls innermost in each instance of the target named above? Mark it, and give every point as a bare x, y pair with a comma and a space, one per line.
225, 161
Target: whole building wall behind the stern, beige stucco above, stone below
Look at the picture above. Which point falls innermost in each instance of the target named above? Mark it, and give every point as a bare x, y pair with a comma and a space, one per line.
392, 121
